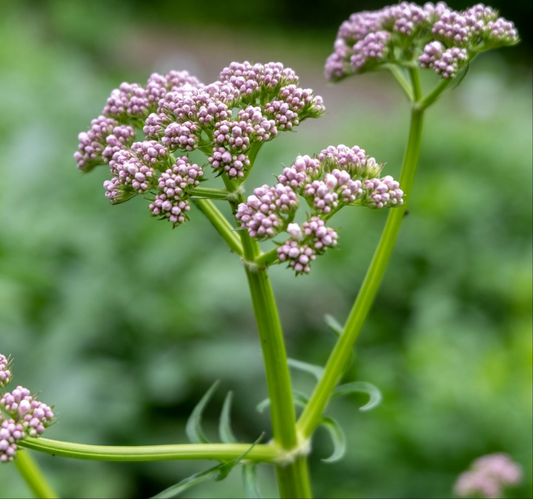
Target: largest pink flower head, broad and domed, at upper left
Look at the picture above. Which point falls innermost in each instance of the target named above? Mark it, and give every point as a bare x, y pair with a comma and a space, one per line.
228, 120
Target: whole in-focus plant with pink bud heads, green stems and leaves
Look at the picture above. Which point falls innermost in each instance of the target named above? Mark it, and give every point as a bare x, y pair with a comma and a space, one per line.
145, 135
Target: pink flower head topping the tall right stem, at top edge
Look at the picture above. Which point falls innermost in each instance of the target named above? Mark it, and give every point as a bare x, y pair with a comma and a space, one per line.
437, 36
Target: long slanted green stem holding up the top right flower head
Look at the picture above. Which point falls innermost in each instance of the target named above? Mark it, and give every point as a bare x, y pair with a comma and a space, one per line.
339, 357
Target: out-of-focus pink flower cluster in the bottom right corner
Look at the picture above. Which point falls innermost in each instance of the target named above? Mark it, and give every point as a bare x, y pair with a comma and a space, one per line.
488, 475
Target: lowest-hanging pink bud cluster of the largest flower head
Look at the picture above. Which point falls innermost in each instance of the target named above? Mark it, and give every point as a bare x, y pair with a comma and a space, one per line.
171, 202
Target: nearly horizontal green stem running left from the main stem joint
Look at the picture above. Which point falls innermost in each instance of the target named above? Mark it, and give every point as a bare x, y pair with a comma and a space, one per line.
217, 452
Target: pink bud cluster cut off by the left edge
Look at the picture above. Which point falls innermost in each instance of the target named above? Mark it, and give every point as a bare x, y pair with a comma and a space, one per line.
21, 415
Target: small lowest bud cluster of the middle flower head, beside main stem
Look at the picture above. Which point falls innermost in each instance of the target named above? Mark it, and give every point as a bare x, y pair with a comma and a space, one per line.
306, 242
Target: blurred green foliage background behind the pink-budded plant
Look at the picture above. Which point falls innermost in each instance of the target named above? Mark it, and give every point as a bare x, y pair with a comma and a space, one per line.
123, 323
